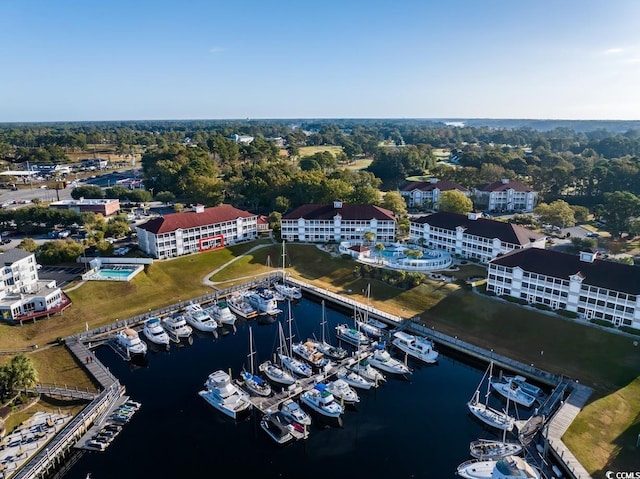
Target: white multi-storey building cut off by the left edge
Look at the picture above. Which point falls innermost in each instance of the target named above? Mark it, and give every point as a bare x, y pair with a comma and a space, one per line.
23, 295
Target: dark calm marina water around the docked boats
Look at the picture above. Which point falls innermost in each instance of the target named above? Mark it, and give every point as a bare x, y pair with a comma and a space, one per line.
408, 428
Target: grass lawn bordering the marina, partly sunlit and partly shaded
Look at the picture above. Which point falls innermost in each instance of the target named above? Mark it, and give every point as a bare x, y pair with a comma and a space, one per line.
608, 362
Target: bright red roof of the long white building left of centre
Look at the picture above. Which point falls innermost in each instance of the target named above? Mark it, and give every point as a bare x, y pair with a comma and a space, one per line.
191, 219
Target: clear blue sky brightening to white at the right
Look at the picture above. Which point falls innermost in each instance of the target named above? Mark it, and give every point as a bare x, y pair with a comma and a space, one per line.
137, 59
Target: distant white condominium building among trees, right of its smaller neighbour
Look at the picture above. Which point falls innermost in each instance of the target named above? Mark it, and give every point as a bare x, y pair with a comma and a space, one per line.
505, 195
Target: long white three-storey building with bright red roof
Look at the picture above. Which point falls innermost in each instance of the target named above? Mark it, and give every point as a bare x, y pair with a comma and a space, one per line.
201, 229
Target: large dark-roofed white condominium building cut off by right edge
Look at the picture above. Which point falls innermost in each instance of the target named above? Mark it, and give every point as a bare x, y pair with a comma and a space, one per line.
584, 284
